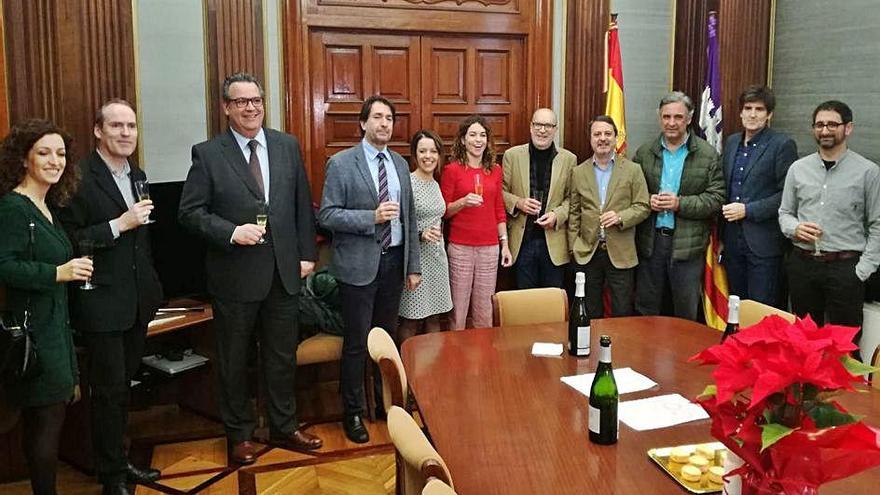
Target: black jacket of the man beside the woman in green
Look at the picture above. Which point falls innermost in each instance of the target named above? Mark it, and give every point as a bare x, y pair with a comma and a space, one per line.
127, 286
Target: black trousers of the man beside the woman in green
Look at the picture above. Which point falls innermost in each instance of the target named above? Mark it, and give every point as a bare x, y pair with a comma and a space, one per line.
114, 357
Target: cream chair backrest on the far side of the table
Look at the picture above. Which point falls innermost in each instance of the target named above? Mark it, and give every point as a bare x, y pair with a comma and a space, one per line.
530, 306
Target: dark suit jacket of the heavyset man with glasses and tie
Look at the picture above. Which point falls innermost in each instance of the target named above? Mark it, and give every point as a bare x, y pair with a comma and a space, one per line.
220, 193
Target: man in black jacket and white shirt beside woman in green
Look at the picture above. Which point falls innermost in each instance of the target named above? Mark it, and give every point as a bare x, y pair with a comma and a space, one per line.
113, 316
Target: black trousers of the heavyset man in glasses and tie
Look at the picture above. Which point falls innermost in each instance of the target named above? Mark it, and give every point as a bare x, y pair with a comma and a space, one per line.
274, 323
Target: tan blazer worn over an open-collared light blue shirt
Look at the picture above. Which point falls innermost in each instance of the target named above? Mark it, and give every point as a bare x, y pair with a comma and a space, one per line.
627, 195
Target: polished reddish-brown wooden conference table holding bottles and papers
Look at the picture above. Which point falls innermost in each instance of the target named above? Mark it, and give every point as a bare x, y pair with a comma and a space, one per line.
505, 424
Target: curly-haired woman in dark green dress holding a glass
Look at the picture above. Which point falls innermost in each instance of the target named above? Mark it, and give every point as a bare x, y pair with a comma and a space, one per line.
34, 180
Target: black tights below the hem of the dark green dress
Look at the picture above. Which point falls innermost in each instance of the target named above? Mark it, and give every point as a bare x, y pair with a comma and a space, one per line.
42, 429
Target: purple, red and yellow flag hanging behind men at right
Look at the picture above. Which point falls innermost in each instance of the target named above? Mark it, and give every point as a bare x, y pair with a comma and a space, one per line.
714, 277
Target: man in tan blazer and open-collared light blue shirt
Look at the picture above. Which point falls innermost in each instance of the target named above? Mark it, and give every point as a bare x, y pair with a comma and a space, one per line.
608, 198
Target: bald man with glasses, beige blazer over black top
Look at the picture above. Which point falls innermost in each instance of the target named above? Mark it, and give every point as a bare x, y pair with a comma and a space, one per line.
536, 198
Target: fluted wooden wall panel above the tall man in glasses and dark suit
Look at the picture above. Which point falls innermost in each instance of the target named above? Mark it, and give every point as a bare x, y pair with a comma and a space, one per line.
234, 39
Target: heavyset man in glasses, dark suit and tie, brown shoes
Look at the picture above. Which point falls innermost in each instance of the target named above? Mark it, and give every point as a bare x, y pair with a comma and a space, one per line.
253, 271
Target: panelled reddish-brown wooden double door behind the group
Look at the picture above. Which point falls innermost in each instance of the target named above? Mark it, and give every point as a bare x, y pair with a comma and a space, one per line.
434, 81
